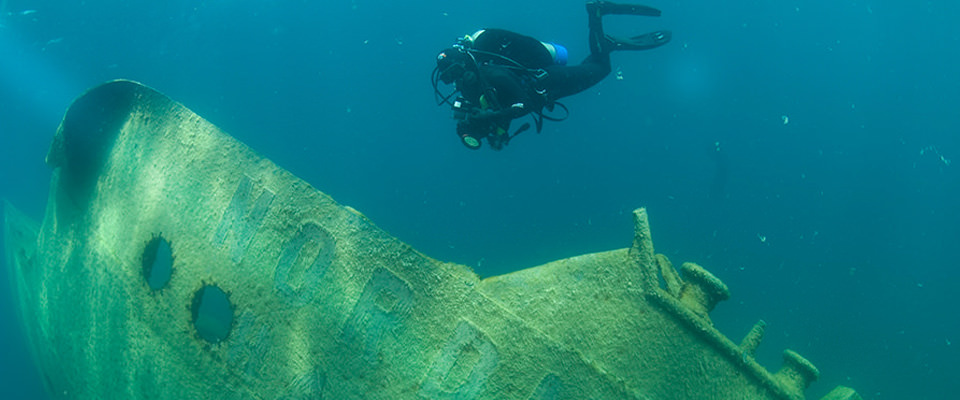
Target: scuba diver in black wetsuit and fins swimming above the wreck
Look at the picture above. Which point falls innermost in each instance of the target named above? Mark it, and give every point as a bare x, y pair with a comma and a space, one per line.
501, 75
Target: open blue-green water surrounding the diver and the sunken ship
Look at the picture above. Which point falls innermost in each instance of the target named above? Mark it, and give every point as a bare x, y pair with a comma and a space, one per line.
799, 150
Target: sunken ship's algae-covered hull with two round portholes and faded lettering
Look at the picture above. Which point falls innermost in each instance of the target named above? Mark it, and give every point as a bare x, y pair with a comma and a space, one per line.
175, 263
